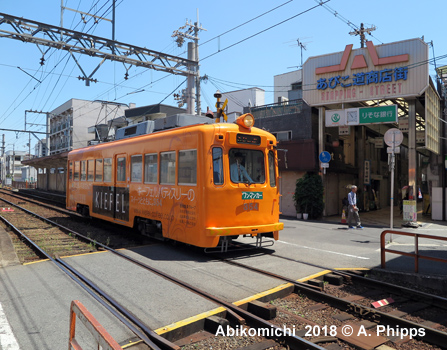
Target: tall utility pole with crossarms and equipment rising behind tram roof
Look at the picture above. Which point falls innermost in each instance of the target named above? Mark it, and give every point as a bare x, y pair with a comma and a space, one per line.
191, 31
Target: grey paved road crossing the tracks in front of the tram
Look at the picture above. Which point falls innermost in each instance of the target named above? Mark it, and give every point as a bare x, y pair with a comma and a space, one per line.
35, 298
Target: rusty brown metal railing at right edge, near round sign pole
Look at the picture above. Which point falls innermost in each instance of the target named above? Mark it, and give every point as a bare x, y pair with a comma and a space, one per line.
416, 255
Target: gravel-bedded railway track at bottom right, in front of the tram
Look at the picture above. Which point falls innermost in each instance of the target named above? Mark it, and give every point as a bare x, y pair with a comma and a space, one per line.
348, 301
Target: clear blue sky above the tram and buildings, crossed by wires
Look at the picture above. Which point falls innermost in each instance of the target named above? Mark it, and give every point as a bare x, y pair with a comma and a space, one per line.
231, 65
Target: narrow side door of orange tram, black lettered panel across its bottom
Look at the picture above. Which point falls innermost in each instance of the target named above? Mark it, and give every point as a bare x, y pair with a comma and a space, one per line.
121, 189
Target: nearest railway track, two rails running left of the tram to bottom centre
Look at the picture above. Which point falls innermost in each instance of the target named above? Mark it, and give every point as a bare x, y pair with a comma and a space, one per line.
238, 317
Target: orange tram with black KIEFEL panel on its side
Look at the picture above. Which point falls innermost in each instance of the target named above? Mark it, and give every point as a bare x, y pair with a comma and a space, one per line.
202, 185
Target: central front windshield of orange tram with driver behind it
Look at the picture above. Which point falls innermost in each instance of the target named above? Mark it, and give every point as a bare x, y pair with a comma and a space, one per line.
246, 166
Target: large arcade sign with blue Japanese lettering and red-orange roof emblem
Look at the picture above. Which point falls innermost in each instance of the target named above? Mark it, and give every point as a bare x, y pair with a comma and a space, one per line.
387, 71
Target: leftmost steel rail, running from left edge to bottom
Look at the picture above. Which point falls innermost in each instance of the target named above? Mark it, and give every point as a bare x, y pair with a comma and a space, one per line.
116, 306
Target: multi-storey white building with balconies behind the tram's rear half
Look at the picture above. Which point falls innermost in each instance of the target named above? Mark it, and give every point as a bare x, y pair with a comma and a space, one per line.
69, 123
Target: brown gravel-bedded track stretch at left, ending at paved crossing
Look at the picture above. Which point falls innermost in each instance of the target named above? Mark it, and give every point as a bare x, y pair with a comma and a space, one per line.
43, 220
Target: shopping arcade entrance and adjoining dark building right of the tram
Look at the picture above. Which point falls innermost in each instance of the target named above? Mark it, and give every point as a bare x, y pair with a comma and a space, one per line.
350, 99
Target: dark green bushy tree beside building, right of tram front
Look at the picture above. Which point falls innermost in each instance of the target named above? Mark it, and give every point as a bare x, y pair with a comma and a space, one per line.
308, 195
